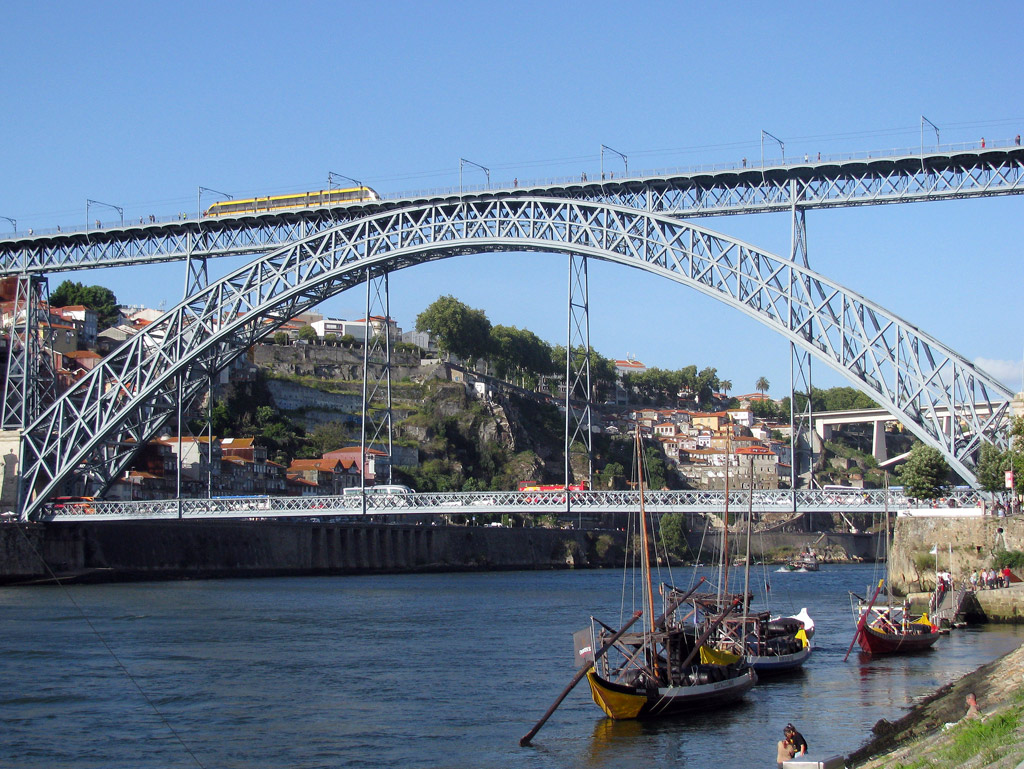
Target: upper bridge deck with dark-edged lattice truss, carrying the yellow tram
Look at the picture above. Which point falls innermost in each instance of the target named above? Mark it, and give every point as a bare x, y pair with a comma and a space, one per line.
906, 179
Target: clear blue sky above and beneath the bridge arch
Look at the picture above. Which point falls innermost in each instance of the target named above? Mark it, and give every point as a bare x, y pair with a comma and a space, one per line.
139, 104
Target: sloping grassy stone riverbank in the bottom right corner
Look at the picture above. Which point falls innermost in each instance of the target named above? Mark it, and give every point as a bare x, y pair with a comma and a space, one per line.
919, 741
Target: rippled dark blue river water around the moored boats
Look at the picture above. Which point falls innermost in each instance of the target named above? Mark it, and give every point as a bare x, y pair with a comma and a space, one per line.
411, 671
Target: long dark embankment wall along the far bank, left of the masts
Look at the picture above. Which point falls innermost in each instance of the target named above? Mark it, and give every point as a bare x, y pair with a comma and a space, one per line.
175, 550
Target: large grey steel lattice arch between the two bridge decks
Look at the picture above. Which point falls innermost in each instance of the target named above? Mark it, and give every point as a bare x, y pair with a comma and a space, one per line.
96, 429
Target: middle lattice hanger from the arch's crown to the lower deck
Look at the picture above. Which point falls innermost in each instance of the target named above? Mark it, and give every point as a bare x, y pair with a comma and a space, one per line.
579, 396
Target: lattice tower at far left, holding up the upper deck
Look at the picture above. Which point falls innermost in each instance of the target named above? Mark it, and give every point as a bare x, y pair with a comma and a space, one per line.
31, 382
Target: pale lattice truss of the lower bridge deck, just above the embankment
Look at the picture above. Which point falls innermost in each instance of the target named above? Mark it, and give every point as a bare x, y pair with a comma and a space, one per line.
766, 504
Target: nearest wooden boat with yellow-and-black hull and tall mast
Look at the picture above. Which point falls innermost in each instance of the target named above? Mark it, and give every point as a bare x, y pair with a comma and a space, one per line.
667, 668
